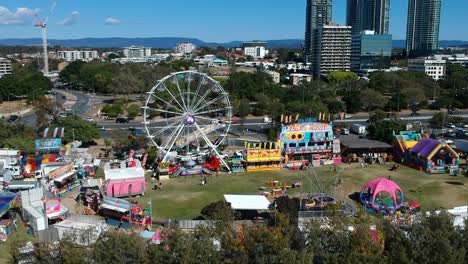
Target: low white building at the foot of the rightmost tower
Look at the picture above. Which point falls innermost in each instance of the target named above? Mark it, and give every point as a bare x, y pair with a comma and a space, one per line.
435, 68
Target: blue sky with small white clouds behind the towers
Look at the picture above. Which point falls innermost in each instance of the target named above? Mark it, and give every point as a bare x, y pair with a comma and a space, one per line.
208, 20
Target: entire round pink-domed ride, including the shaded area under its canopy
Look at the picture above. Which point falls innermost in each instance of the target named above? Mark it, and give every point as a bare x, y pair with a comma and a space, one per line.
382, 195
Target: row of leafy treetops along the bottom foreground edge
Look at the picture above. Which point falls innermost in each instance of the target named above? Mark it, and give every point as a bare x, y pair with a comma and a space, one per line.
339, 239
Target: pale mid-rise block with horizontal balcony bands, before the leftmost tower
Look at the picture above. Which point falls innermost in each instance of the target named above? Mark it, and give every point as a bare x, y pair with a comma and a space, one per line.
331, 49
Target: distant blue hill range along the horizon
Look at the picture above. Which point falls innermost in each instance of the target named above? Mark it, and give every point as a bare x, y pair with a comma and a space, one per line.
170, 42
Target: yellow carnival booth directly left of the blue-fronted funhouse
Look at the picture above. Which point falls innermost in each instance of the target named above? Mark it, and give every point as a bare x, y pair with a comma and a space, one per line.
262, 156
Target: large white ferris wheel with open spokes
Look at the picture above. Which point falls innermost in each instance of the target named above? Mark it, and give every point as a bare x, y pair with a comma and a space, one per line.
186, 115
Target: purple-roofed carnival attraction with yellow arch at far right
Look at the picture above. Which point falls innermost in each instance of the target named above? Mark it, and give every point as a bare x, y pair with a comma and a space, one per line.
432, 156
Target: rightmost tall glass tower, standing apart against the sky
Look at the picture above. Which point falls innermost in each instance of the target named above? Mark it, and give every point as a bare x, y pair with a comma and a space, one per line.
422, 32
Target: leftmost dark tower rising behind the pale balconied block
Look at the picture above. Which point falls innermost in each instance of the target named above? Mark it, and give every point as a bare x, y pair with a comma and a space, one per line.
318, 13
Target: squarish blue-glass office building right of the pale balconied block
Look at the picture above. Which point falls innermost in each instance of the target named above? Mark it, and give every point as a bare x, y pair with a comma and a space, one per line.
370, 51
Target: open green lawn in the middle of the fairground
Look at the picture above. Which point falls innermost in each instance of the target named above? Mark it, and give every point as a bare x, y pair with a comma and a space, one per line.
183, 198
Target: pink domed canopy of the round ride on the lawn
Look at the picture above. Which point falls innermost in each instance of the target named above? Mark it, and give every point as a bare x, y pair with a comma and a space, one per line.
381, 185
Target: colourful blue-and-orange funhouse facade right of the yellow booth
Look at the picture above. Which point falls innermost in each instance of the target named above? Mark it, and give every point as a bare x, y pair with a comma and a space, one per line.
307, 141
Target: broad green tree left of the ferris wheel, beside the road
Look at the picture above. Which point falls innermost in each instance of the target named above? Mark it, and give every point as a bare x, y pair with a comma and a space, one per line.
77, 129
